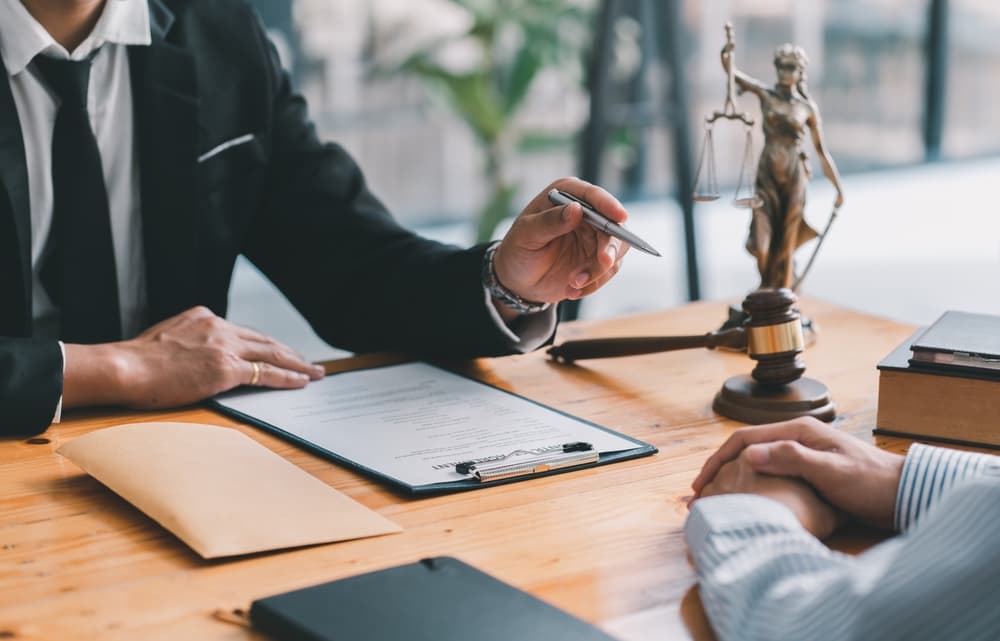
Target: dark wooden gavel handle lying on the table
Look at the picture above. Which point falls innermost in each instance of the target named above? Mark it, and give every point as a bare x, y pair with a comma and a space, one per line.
570, 351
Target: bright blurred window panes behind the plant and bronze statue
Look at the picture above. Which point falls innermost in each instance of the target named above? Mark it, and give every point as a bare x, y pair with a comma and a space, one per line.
867, 72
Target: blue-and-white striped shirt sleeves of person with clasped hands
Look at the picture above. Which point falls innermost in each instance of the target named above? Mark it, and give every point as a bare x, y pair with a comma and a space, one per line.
763, 576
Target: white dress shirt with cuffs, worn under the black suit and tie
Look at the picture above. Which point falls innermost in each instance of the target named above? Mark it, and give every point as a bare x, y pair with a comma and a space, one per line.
109, 103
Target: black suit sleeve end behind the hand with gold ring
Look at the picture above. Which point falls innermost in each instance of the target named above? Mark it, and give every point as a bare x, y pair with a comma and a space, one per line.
30, 385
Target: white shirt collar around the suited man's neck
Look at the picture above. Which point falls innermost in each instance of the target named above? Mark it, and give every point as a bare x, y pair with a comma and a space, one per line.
22, 38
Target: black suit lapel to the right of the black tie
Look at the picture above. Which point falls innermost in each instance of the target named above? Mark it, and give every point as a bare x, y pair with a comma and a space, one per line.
166, 114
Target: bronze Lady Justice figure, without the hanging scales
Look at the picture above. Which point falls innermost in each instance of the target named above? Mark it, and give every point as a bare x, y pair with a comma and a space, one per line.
778, 228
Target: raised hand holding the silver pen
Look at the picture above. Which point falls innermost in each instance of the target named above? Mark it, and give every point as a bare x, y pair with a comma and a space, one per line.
551, 253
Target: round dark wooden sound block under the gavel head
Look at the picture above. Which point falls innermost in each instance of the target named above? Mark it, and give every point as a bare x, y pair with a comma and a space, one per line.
744, 399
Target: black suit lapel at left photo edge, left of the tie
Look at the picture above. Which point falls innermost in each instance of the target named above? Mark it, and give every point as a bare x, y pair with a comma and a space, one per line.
15, 249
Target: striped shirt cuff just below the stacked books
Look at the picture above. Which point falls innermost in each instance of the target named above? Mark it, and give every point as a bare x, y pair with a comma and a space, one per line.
929, 473
